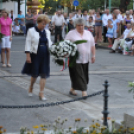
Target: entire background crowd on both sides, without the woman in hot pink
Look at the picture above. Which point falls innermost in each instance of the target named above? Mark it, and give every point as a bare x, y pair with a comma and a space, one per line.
105, 26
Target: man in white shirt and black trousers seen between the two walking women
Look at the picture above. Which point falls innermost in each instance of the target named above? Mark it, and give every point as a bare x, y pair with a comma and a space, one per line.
58, 22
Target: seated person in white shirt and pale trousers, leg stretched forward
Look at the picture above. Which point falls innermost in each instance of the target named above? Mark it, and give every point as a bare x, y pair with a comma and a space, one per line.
121, 40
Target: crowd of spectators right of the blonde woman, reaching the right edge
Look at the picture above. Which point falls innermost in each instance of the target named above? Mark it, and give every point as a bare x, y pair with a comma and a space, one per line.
104, 26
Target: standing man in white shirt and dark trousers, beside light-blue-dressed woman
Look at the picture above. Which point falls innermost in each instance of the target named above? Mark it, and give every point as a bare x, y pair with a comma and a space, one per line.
105, 19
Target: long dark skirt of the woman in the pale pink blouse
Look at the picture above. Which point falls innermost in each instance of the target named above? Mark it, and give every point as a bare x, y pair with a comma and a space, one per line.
79, 76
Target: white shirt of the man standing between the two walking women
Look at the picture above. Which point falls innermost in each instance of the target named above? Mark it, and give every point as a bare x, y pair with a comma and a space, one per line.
58, 20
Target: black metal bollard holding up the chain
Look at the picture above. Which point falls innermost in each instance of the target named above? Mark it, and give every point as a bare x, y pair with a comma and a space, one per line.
105, 110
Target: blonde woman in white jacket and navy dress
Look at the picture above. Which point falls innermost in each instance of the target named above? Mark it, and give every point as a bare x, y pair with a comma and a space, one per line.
37, 46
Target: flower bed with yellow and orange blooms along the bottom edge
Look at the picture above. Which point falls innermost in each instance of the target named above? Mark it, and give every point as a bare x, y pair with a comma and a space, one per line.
58, 125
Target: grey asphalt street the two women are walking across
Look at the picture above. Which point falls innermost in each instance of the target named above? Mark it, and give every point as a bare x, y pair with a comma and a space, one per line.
116, 68
